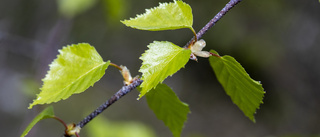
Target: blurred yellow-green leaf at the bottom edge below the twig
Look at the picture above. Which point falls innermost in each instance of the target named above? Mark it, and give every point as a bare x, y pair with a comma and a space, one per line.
101, 127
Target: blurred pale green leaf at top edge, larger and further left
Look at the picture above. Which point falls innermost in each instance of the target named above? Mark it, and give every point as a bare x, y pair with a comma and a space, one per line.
71, 8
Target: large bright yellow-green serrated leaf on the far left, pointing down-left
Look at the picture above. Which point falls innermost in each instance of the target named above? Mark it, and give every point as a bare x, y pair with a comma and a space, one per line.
76, 69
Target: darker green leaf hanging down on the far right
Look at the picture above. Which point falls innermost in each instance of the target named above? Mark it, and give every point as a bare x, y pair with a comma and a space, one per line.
245, 92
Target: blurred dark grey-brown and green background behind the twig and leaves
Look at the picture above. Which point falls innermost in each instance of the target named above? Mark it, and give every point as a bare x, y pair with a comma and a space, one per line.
276, 41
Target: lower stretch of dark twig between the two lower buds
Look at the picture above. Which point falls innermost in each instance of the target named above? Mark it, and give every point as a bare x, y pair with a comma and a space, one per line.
123, 91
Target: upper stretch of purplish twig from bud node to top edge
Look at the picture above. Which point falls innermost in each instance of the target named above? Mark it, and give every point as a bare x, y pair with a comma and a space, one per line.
214, 20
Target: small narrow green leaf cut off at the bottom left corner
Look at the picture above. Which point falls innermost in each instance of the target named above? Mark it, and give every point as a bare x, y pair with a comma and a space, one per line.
46, 113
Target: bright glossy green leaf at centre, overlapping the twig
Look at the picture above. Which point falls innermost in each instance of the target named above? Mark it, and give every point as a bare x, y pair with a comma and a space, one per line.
161, 60
